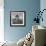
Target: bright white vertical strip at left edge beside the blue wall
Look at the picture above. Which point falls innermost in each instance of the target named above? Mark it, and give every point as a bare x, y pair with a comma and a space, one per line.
1, 20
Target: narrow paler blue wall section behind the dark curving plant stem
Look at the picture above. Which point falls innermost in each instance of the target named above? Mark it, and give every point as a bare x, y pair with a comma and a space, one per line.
43, 6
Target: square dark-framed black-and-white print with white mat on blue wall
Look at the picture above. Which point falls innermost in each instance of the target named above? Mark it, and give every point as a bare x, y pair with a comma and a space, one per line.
17, 18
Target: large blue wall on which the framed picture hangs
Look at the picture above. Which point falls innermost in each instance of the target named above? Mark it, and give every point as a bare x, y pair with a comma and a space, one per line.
30, 6
